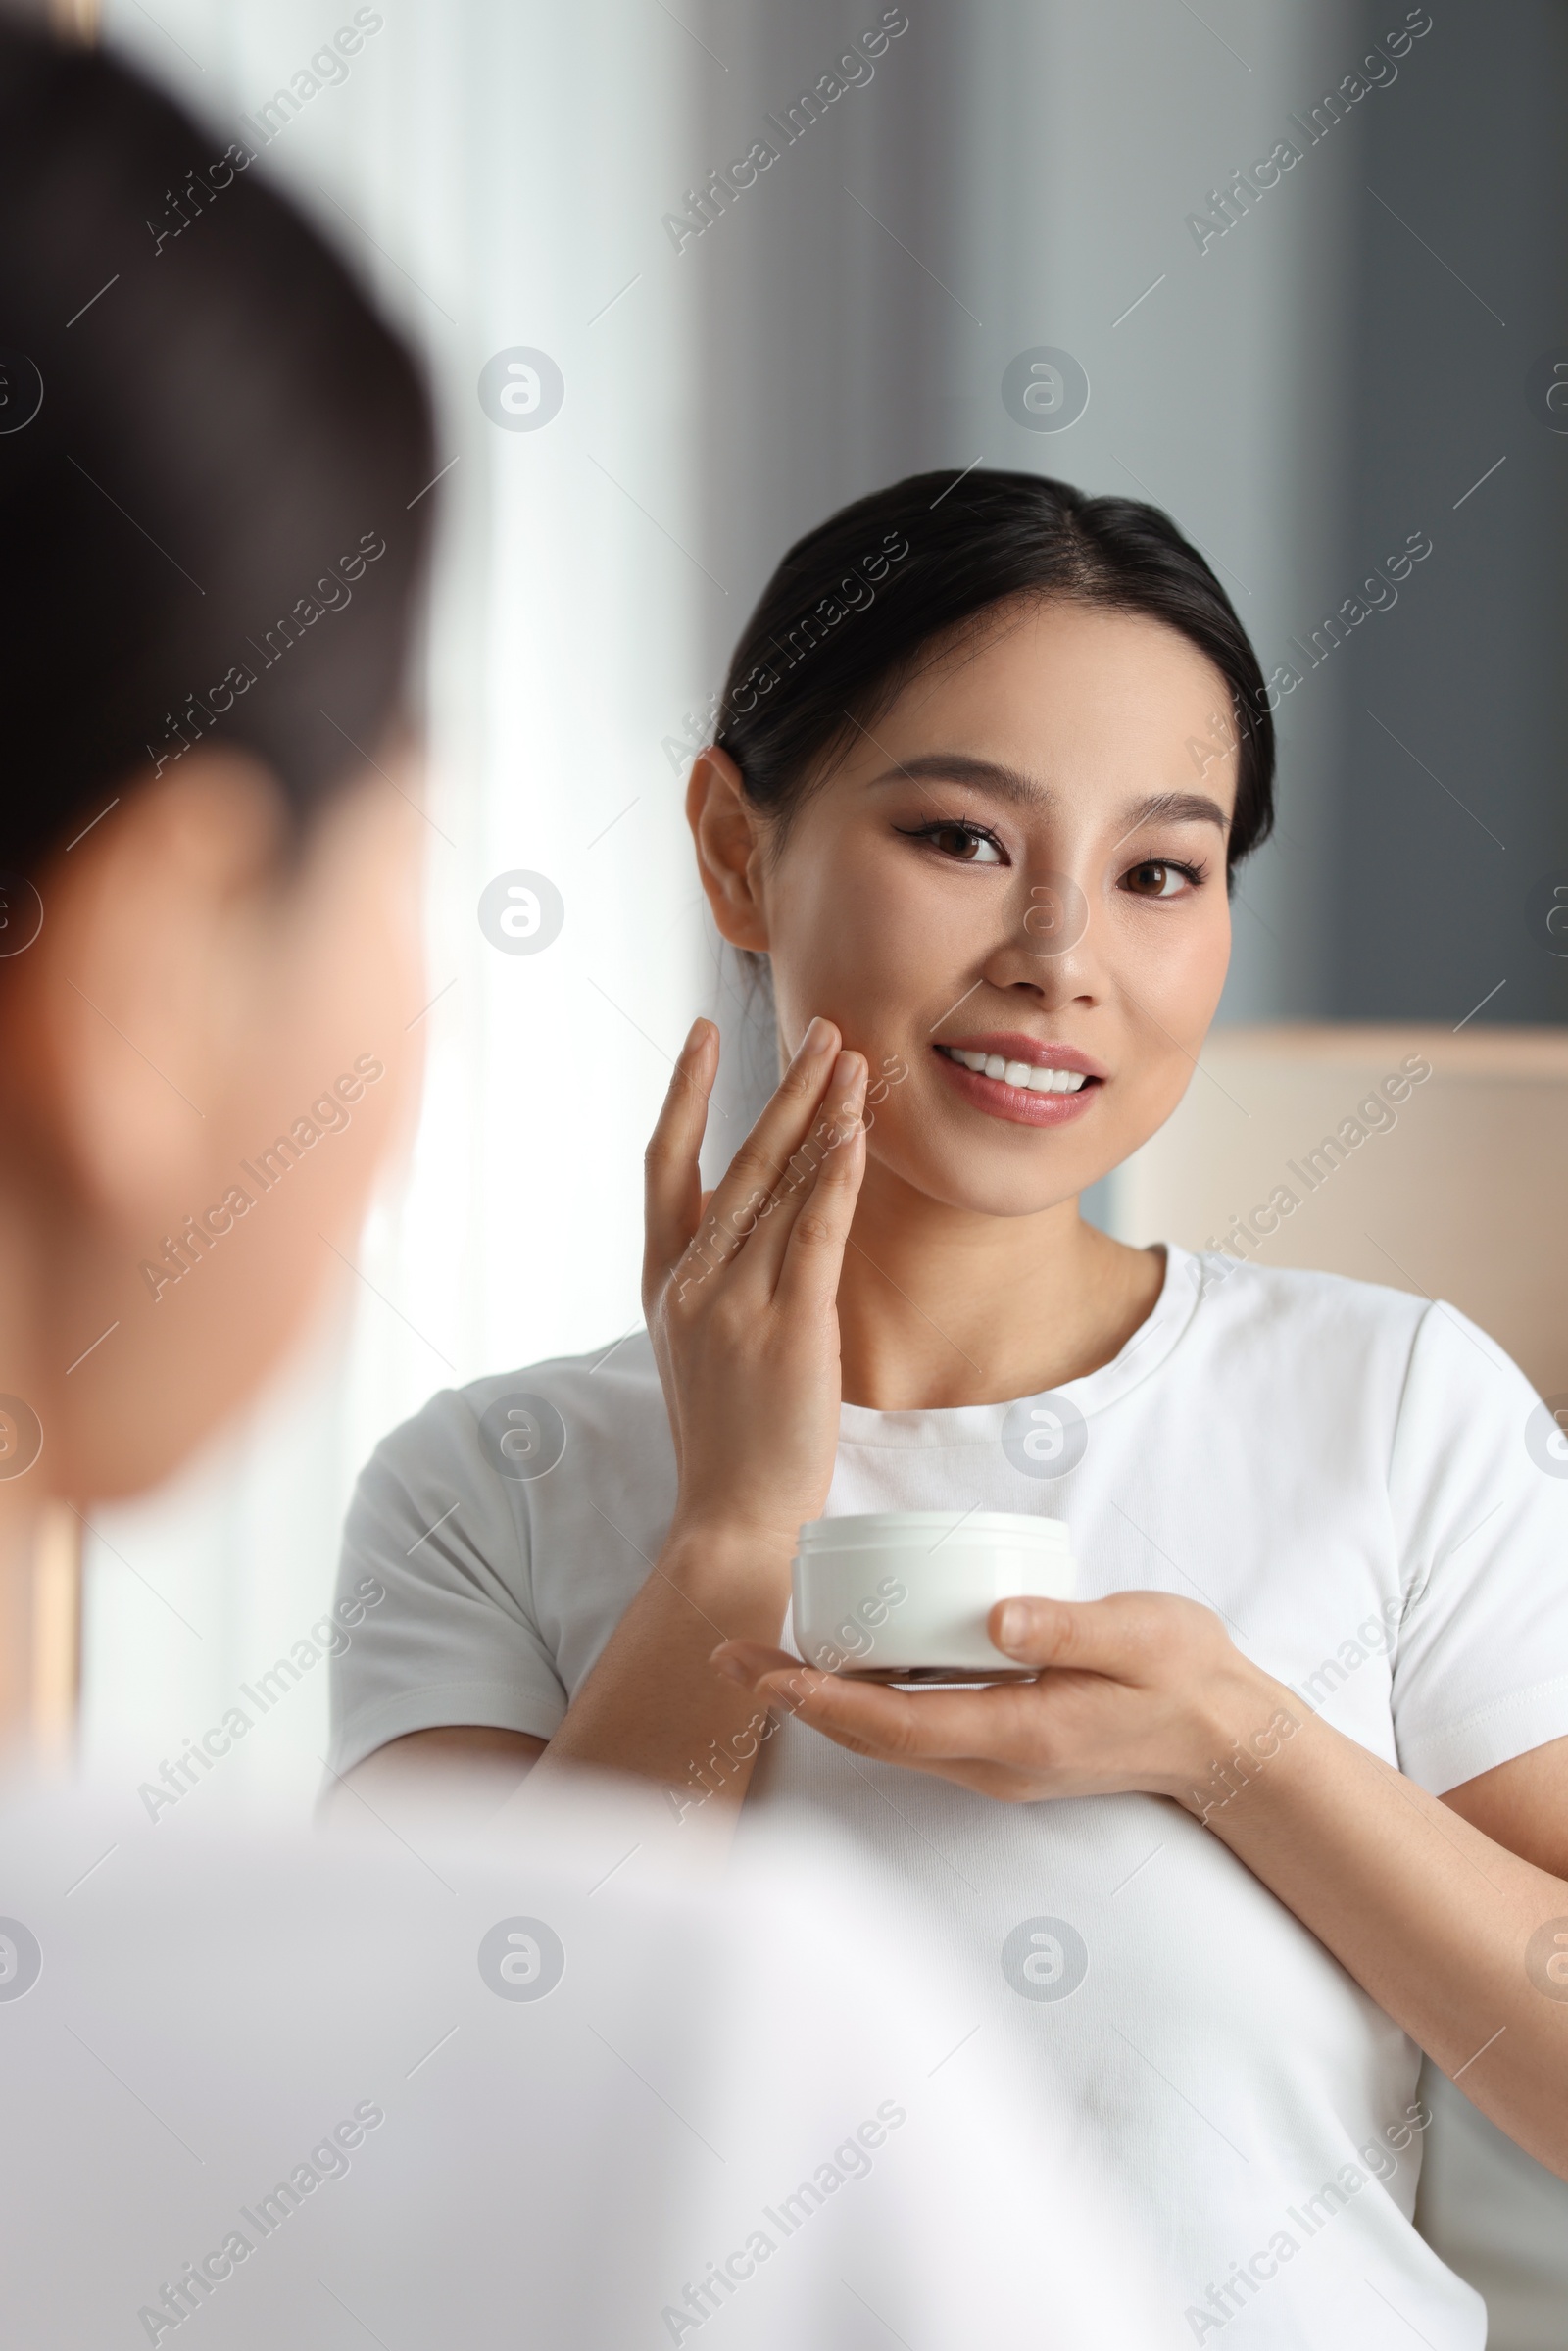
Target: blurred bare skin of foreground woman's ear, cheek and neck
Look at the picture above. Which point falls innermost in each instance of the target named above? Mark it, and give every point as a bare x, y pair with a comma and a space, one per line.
208, 1054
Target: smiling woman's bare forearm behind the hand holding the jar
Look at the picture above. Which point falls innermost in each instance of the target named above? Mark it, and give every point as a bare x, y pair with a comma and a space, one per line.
1428, 1915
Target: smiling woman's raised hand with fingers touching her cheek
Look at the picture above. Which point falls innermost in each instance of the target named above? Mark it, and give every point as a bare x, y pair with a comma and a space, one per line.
742, 1292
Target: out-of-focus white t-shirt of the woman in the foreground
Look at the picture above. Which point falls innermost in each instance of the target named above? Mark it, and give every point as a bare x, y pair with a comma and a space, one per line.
274, 2091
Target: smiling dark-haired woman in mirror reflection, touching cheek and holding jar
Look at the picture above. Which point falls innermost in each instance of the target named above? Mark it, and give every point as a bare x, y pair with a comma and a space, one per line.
989, 756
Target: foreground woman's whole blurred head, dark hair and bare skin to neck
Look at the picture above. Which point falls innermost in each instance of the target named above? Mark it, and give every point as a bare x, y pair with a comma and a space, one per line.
210, 563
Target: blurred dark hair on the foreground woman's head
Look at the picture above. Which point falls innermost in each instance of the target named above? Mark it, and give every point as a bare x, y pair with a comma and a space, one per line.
208, 453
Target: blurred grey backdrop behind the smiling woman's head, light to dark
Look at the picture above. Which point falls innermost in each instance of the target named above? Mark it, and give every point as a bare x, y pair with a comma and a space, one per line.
1301, 396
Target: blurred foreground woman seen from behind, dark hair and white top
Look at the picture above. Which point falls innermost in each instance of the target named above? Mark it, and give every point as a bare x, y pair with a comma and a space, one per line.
210, 551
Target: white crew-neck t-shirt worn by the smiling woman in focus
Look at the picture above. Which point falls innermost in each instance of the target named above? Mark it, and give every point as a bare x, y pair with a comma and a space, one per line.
1355, 1480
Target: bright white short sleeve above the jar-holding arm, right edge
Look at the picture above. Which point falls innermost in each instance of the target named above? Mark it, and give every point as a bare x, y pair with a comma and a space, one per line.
1480, 1499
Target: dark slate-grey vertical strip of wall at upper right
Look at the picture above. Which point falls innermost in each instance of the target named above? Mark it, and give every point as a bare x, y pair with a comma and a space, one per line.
1470, 671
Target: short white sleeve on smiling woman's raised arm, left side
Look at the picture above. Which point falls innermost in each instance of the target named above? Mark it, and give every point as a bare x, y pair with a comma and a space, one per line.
453, 1640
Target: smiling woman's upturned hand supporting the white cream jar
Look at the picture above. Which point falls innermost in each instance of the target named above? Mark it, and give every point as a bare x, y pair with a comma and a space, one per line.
1132, 1694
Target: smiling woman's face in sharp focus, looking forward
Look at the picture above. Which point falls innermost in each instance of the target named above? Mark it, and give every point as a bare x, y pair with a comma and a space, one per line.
1021, 862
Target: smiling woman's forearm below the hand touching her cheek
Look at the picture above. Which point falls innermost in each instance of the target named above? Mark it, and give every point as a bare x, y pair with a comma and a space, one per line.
652, 1706
